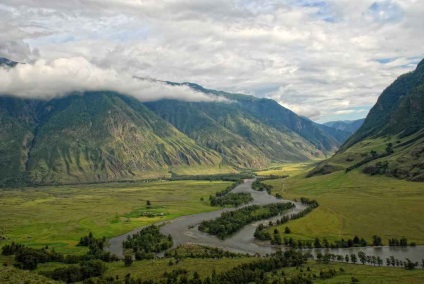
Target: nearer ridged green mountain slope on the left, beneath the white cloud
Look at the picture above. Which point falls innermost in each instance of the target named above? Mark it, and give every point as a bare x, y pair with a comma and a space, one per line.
95, 137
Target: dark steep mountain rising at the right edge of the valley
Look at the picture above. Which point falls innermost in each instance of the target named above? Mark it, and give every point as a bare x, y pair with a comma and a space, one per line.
391, 140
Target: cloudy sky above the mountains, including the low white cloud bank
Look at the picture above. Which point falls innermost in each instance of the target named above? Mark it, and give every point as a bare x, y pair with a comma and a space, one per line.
324, 59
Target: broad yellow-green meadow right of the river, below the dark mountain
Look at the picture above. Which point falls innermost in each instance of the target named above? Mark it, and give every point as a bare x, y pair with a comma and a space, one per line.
355, 204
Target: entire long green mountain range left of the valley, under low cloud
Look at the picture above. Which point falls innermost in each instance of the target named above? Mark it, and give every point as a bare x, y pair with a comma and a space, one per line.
107, 136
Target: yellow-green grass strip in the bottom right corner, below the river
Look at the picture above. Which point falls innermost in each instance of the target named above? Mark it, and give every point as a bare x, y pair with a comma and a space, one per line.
364, 273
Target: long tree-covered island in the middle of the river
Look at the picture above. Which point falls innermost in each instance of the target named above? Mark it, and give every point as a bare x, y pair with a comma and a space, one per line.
233, 221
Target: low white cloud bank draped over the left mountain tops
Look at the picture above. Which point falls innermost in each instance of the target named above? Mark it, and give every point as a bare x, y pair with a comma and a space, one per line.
60, 77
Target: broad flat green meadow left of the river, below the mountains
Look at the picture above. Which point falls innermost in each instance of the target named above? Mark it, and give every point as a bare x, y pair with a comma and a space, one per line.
59, 216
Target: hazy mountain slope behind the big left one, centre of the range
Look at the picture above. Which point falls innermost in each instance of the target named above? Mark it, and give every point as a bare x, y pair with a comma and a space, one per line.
240, 138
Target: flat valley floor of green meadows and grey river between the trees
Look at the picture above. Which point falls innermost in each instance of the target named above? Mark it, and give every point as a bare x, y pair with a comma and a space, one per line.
119, 208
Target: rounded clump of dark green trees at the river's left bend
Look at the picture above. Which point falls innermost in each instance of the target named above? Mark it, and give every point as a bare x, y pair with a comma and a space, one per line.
147, 242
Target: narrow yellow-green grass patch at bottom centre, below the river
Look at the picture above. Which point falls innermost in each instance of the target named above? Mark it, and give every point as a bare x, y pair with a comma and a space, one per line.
154, 269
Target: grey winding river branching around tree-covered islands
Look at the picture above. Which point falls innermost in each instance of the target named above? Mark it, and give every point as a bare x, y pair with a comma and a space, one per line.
185, 230
